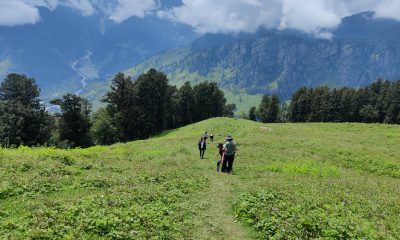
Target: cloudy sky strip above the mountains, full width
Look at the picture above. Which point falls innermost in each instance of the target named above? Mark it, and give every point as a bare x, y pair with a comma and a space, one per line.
317, 17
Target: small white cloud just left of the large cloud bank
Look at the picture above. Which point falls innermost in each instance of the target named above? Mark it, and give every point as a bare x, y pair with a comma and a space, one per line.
125, 9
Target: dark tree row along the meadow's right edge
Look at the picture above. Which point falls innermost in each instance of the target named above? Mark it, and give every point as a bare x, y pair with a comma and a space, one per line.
378, 102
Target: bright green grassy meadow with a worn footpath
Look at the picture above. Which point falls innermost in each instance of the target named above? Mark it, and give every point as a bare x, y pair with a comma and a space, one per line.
304, 181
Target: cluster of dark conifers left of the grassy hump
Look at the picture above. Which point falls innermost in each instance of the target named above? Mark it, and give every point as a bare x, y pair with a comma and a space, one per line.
134, 109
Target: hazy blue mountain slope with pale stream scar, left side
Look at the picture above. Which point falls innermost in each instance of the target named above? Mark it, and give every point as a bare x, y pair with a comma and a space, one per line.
66, 50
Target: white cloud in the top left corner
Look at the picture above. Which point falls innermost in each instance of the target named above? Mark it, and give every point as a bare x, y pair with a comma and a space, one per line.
14, 13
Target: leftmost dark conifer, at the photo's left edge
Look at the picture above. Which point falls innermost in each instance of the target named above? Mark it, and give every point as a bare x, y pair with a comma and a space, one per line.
23, 120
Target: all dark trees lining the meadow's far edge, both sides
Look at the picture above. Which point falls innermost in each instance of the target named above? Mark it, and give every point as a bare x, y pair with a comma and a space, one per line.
141, 108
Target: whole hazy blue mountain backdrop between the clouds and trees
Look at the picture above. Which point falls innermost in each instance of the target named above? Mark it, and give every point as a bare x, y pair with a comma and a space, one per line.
69, 52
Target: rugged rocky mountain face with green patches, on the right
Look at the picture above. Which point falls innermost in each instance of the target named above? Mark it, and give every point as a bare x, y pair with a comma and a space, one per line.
361, 50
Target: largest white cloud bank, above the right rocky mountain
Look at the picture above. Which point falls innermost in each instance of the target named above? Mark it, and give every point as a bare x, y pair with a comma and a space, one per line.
318, 17
